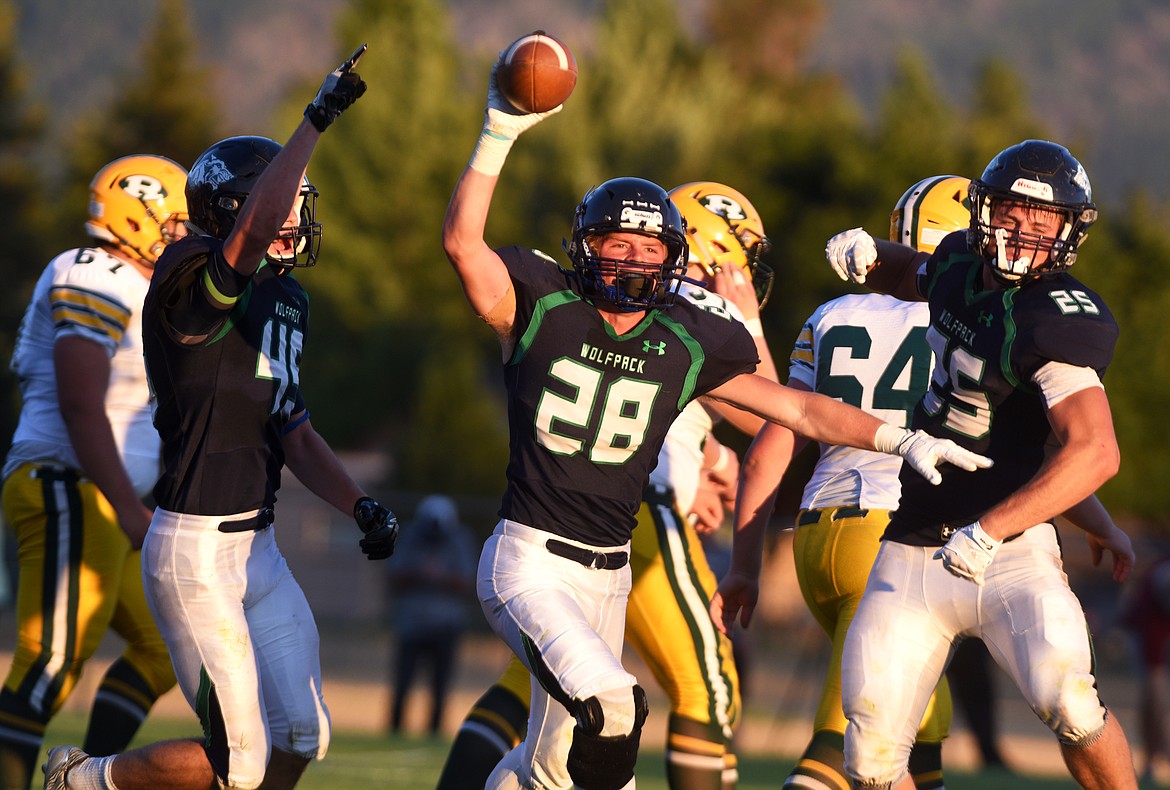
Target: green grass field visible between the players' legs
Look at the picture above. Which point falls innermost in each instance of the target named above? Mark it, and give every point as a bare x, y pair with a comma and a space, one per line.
361, 760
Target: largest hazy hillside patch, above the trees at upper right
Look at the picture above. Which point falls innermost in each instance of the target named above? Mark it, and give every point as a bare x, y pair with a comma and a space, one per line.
1098, 73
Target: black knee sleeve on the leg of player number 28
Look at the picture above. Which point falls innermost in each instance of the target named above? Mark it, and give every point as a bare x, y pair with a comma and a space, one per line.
607, 738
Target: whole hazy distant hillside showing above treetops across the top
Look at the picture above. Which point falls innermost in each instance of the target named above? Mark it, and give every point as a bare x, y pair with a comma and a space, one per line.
1098, 72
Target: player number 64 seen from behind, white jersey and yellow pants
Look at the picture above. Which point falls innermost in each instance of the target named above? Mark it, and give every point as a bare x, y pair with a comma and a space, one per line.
869, 351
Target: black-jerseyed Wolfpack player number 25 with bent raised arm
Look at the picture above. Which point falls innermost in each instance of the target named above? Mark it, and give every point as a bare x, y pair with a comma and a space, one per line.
1021, 347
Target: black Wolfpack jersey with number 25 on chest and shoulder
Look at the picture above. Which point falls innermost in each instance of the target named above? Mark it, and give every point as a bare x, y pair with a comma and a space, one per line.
988, 346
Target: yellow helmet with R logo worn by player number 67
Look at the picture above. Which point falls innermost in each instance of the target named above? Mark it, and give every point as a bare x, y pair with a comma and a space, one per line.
133, 200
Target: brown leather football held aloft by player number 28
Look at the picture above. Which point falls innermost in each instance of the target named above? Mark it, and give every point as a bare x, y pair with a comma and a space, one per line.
538, 73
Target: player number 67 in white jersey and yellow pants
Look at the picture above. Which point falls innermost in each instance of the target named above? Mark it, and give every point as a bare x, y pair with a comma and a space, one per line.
82, 462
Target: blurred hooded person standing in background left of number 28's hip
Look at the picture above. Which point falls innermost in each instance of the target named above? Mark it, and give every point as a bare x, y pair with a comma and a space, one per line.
432, 580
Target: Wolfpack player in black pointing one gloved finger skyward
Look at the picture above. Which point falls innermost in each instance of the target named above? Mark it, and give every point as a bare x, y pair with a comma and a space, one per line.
226, 333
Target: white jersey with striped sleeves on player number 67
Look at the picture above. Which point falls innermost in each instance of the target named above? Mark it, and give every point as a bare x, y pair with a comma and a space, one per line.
91, 294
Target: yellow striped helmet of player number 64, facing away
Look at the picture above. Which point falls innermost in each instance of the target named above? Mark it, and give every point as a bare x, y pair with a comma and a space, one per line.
930, 211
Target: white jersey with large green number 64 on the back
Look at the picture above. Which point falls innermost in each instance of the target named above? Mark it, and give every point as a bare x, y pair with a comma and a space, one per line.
871, 352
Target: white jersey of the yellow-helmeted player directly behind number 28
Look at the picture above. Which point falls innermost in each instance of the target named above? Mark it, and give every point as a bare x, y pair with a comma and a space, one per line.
682, 458
